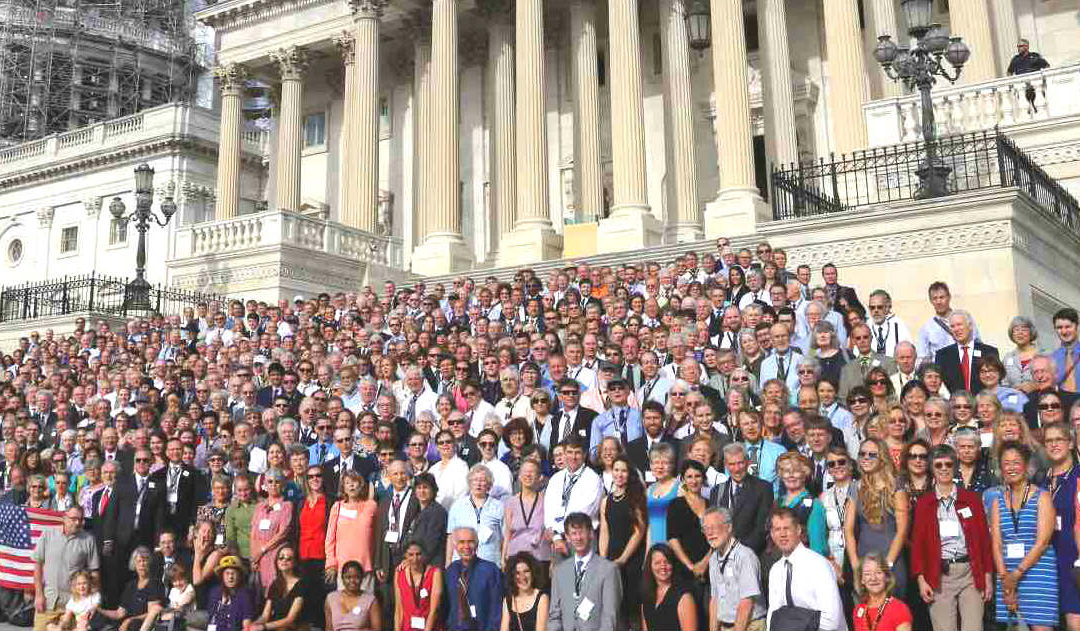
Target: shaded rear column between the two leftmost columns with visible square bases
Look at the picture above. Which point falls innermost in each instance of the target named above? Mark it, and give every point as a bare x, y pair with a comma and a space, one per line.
501, 72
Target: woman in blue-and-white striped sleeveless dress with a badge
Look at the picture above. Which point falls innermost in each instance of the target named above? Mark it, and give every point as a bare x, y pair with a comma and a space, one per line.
1022, 525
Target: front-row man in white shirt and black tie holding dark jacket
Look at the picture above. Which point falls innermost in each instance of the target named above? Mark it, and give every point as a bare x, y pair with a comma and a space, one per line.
814, 582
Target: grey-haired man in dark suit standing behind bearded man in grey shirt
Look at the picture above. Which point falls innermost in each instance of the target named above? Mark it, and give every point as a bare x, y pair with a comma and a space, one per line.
748, 498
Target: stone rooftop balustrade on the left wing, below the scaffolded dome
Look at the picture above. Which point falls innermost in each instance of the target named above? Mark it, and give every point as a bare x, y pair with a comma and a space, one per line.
167, 120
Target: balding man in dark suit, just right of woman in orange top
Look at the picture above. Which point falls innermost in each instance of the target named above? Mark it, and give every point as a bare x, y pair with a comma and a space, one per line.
394, 521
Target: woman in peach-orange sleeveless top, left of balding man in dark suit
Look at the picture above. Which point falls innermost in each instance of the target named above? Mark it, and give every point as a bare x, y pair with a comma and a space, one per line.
352, 527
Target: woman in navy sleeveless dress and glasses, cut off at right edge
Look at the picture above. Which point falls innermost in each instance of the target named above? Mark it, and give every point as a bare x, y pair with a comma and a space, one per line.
1061, 482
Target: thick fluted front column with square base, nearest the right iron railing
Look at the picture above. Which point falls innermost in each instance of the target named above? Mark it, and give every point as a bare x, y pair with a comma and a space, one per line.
738, 207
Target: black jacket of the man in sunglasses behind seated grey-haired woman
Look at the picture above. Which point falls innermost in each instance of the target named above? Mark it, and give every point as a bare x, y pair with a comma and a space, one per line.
120, 526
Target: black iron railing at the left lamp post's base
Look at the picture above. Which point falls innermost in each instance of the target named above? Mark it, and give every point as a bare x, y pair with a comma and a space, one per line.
93, 293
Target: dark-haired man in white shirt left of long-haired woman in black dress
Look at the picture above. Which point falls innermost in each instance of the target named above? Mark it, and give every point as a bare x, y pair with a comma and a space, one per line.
575, 489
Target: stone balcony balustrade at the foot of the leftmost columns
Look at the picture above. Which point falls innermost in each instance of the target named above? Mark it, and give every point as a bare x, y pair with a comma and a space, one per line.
279, 230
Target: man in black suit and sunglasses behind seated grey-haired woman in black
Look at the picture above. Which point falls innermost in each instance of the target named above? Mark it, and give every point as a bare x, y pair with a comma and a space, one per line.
131, 517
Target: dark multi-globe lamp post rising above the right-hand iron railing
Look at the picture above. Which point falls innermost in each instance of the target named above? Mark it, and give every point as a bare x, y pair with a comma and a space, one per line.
917, 69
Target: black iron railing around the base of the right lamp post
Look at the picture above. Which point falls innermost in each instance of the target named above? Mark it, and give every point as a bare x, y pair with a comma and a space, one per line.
979, 160
